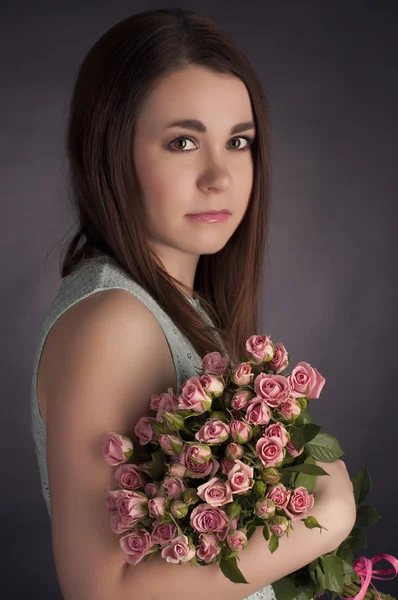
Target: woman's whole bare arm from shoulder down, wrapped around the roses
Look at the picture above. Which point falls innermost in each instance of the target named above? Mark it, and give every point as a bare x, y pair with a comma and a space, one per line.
107, 363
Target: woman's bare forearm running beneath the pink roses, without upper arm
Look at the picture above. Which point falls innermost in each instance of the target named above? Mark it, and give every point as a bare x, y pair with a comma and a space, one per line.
158, 580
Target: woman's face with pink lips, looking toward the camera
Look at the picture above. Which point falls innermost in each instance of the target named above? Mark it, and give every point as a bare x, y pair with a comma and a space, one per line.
182, 170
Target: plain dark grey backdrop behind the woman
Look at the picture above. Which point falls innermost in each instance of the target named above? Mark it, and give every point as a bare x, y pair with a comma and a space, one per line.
330, 72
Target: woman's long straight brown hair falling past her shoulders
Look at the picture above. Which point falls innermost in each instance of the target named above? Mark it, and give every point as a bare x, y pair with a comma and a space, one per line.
114, 78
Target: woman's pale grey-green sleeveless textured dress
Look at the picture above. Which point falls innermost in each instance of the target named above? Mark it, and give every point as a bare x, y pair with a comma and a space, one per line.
91, 276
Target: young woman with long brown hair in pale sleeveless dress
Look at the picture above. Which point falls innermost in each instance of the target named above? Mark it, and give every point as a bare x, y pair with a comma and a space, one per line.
168, 121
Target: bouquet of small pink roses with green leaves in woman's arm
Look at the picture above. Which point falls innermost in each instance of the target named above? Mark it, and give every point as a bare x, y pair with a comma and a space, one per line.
234, 450
